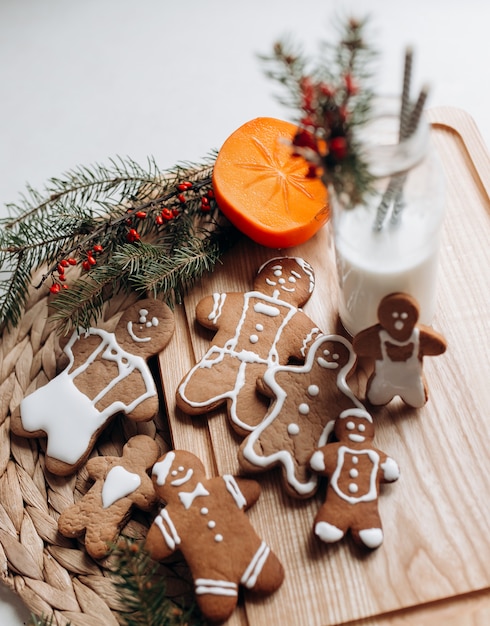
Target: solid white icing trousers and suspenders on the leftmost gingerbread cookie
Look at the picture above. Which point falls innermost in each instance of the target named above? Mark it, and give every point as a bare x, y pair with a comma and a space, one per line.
69, 418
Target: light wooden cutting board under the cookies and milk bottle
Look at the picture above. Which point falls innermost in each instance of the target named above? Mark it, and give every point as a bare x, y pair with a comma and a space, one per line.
434, 564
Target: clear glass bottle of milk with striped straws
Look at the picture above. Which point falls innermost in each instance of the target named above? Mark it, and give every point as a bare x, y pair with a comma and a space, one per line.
391, 241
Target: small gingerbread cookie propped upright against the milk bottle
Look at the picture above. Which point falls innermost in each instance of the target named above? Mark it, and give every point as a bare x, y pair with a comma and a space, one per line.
397, 345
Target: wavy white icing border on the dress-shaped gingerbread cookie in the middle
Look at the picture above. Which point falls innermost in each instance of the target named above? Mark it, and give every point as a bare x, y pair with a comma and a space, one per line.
283, 457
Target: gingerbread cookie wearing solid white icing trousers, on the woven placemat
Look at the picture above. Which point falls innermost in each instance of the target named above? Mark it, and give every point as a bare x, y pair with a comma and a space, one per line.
107, 373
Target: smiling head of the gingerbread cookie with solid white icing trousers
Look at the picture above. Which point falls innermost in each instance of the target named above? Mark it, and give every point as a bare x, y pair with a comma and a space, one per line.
145, 328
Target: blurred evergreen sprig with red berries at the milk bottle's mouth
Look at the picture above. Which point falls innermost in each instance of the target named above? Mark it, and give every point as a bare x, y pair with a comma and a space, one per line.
331, 98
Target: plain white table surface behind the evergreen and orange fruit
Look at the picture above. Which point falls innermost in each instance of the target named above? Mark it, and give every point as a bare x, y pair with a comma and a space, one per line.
81, 82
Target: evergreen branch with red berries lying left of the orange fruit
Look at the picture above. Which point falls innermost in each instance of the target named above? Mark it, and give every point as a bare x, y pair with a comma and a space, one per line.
107, 228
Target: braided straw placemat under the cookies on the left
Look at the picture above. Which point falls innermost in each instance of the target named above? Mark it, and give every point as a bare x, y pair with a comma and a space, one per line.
53, 575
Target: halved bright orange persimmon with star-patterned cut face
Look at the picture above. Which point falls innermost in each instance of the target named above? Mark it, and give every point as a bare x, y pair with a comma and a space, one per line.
264, 190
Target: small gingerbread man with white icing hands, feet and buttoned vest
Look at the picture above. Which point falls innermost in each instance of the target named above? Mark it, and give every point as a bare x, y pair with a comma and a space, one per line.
355, 469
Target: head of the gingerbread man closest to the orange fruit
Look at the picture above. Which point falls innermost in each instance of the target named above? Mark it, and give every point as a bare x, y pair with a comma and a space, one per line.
286, 278
